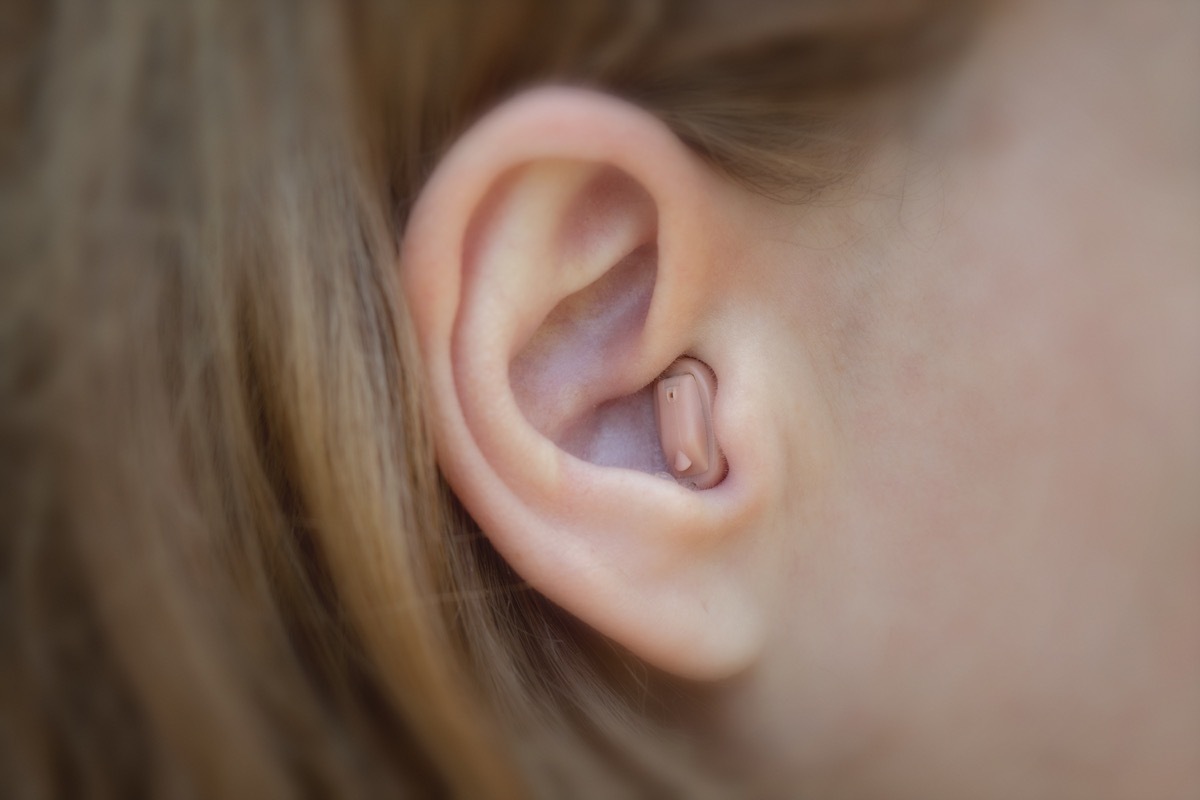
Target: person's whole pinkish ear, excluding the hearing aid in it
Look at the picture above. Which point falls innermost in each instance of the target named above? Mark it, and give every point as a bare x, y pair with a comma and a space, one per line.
563, 256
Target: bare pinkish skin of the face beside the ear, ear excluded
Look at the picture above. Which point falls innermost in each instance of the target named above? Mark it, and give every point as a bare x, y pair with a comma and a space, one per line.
995, 586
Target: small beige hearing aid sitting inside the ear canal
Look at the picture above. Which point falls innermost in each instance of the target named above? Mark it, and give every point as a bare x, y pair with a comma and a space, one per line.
683, 407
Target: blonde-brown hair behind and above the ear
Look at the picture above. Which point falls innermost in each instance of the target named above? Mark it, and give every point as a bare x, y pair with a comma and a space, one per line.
229, 563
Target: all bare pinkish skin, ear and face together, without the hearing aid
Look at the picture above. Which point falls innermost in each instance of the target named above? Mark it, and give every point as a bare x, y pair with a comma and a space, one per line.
958, 550
